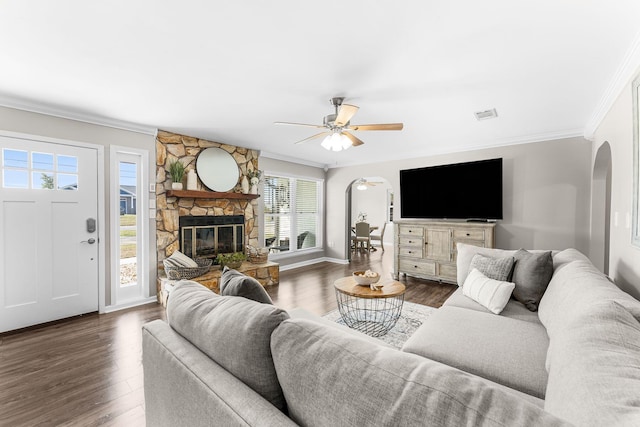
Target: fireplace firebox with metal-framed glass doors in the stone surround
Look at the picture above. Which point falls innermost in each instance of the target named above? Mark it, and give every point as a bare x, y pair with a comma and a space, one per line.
207, 236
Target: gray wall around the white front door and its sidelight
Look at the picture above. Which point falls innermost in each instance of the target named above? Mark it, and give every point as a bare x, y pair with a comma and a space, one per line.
54, 127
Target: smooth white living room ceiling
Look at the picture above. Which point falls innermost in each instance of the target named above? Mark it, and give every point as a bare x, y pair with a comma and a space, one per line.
225, 71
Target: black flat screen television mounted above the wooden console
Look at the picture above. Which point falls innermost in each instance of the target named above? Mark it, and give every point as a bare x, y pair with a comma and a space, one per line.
470, 191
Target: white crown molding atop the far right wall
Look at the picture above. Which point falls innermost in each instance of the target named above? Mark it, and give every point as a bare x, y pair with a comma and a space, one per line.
620, 80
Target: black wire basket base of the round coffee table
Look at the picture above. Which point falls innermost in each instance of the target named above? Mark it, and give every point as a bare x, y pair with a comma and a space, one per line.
373, 316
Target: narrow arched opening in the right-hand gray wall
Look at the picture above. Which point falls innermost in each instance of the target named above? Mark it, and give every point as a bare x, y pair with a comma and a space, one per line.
601, 208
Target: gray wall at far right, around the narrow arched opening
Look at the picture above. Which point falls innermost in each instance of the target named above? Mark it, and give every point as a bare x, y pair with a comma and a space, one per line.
617, 130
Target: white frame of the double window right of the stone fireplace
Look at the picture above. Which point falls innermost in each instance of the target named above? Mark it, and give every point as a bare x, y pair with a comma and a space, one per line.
293, 249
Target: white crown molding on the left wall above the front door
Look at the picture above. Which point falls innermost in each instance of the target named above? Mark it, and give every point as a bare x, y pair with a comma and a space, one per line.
35, 107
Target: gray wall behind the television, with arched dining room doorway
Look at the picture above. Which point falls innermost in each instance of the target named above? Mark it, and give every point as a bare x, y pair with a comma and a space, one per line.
546, 193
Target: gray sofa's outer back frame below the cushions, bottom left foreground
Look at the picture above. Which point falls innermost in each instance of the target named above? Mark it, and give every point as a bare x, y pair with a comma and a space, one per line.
184, 387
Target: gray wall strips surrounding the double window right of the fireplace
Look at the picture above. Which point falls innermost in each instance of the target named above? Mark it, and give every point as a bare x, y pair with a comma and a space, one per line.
277, 167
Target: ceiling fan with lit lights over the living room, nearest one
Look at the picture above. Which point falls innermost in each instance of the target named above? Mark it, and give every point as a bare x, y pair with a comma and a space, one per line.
336, 136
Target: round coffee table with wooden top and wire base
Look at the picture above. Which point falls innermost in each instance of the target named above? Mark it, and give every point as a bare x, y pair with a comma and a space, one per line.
369, 311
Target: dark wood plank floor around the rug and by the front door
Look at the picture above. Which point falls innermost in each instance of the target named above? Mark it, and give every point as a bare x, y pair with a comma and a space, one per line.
87, 371
